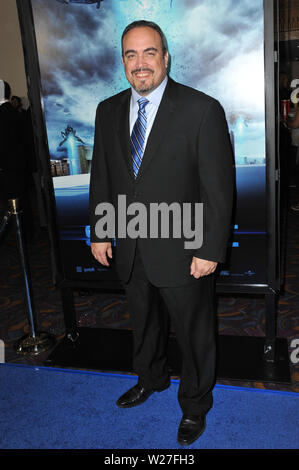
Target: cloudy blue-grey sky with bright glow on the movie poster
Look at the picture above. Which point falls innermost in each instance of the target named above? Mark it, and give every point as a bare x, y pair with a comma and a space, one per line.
216, 47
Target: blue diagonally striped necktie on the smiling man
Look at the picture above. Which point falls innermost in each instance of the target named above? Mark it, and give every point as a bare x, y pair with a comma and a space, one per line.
138, 136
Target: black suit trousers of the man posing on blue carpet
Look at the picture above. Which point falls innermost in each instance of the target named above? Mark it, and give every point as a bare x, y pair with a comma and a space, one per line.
191, 308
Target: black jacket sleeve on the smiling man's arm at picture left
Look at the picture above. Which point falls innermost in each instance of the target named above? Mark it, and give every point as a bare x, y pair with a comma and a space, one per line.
99, 191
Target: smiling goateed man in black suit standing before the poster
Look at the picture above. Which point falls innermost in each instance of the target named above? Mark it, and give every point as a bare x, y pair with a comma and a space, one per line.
179, 152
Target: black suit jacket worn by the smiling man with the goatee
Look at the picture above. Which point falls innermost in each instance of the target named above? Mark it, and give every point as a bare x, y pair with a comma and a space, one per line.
188, 158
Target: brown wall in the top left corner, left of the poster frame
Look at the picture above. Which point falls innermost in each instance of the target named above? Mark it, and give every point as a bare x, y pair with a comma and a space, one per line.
12, 68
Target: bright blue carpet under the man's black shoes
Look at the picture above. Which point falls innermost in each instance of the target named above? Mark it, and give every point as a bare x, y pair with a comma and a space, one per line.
45, 408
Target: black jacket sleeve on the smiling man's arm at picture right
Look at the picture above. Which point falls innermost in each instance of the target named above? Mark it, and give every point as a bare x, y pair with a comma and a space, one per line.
217, 182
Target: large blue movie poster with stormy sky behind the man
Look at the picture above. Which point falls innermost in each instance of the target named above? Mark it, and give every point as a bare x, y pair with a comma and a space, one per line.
216, 47
